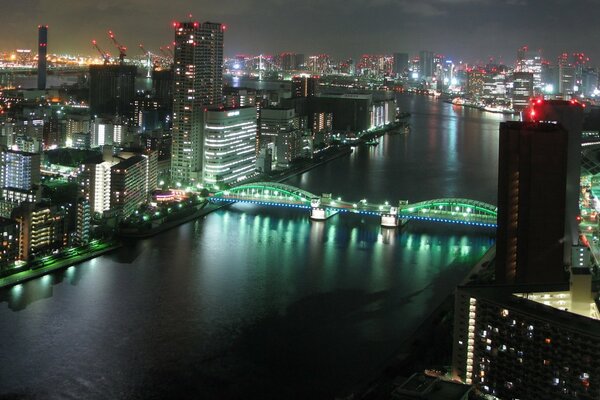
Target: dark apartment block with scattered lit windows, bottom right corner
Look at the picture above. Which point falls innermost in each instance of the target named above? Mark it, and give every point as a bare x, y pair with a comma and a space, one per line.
529, 341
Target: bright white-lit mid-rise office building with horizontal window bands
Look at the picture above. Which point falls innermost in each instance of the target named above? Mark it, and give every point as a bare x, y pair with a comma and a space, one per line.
229, 145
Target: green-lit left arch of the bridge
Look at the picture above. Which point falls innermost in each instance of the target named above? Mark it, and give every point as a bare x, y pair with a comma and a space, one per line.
269, 191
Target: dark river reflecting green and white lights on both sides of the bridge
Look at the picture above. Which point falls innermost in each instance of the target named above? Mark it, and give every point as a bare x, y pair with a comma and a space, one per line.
261, 303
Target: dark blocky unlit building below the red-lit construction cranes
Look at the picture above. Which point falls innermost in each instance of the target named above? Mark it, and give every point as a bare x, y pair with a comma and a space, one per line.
112, 91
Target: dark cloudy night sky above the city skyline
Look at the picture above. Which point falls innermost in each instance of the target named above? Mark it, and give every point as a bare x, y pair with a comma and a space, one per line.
470, 30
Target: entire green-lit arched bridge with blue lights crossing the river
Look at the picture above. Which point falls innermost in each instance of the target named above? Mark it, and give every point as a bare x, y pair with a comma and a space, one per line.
451, 210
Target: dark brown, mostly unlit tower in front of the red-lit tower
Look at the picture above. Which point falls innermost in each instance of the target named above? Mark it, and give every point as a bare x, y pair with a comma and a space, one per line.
532, 173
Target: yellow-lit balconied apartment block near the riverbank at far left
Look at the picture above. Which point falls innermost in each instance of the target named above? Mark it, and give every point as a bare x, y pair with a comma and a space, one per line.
43, 229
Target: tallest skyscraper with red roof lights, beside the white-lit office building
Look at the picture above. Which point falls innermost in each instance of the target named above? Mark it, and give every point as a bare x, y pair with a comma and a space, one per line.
198, 83
